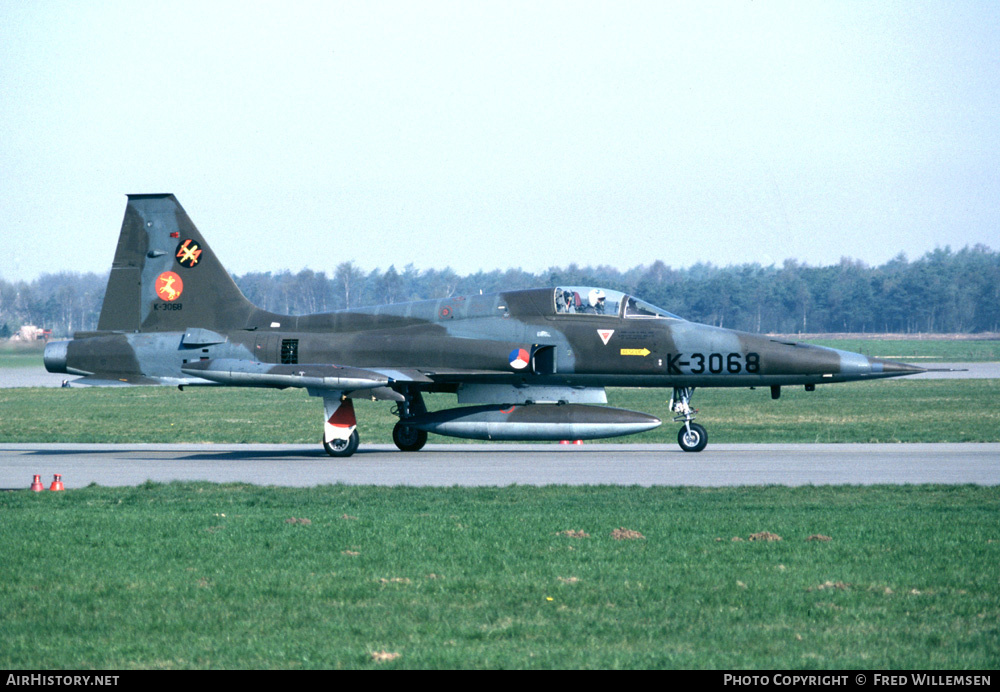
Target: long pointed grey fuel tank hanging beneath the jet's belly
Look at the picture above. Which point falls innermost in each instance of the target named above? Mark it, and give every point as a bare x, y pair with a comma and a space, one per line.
534, 422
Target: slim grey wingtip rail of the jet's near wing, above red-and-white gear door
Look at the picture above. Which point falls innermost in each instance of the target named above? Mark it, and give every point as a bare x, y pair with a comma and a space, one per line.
248, 373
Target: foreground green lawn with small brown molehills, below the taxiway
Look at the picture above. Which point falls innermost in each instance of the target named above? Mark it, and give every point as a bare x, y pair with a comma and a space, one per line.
215, 576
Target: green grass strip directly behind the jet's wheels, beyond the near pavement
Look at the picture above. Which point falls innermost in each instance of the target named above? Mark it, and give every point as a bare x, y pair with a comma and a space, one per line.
886, 411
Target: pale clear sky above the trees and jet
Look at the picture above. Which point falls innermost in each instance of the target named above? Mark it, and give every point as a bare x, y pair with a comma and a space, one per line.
488, 135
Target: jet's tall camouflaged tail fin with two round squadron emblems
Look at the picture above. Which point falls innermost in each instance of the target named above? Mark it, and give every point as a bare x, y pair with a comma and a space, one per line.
165, 277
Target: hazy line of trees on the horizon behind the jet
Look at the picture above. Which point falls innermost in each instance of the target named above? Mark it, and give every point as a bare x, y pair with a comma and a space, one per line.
942, 291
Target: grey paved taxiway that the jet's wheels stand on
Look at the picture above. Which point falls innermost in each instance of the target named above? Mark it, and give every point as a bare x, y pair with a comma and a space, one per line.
504, 464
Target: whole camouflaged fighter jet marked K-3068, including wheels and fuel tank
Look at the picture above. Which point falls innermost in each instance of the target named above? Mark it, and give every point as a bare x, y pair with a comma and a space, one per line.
524, 365
